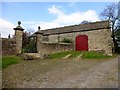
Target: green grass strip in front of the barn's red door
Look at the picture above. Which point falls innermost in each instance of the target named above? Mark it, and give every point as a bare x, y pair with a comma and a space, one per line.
85, 55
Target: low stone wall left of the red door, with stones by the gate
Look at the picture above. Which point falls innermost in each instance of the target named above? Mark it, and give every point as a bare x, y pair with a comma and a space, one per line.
48, 48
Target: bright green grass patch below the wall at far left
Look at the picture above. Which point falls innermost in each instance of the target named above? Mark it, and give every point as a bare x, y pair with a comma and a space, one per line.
9, 60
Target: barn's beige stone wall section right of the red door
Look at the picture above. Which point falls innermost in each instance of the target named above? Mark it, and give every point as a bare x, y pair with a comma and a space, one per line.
99, 40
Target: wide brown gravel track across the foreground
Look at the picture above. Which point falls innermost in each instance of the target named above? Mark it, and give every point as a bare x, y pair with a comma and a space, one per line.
64, 73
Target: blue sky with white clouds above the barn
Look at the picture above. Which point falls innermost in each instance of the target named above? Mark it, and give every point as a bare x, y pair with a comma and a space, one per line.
47, 14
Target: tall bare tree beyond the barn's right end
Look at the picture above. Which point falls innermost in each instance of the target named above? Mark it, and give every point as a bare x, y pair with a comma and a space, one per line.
111, 13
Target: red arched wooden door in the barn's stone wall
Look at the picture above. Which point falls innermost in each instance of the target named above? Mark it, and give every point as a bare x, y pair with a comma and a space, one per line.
82, 43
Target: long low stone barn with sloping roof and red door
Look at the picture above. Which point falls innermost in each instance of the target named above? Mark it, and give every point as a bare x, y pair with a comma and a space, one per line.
94, 36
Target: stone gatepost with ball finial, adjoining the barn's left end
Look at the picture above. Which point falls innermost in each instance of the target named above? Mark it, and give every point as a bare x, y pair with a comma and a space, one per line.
39, 37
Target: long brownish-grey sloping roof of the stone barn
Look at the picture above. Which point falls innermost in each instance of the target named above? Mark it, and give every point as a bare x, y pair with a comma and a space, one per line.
77, 28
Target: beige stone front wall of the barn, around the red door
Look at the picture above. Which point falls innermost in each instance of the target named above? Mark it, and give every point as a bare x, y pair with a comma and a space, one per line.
97, 39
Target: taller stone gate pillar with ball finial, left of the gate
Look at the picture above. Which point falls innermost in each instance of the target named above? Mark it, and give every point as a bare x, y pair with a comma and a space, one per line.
18, 38
